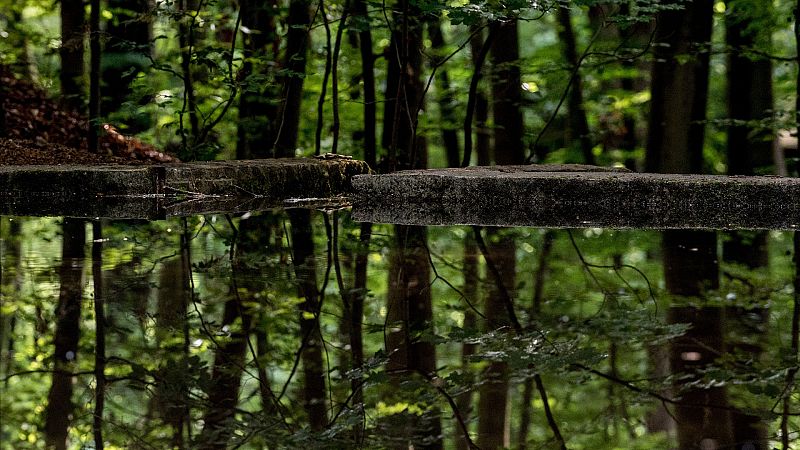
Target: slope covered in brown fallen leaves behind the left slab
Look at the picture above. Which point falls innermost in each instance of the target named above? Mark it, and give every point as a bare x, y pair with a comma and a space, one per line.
40, 130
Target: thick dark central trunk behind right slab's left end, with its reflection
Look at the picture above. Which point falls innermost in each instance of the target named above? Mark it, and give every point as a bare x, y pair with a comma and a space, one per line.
409, 307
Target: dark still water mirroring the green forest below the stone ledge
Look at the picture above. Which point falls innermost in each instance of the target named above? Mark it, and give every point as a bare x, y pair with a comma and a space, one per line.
216, 332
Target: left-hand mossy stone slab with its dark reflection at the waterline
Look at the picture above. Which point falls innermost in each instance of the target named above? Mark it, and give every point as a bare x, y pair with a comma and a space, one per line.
154, 191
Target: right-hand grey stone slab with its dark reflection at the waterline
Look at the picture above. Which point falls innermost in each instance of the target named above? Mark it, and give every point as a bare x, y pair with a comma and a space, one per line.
553, 197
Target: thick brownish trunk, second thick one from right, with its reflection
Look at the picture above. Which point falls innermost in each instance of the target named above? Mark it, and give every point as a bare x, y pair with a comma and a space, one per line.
675, 144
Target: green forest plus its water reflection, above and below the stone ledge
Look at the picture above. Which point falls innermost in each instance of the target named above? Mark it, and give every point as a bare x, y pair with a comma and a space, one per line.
302, 328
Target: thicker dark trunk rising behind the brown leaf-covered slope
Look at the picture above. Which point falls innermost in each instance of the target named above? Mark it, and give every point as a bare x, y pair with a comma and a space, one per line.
73, 21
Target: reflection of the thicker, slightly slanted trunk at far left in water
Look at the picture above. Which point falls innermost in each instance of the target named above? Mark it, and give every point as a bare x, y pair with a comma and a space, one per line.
68, 314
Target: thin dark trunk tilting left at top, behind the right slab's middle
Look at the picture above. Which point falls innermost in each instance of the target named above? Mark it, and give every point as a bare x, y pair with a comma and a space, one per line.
579, 125
